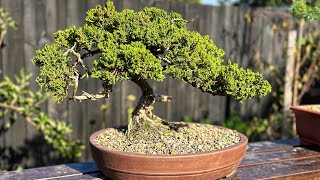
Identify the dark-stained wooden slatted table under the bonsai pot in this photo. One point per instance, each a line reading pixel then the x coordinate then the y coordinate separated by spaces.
pixel 283 159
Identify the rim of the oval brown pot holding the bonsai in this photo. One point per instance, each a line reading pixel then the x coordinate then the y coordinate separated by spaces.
pixel 93 141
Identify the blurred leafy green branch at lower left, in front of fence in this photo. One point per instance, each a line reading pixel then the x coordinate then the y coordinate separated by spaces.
pixel 16 99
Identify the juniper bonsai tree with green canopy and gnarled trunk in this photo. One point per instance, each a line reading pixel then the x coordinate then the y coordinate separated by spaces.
pixel 140 46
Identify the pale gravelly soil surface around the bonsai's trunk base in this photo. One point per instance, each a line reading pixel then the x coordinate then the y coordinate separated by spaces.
pixel 162 140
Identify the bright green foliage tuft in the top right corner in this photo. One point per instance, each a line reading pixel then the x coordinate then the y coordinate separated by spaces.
pixel 307 9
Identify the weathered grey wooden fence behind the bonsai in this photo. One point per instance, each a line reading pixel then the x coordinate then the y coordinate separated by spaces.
pixel 245 34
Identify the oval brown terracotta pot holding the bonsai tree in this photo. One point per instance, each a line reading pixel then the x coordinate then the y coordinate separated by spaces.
pixel 208 165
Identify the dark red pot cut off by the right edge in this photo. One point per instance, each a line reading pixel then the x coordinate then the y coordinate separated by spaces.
pixel 307 124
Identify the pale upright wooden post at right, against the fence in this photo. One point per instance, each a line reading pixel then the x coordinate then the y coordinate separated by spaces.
pixel 288 86
